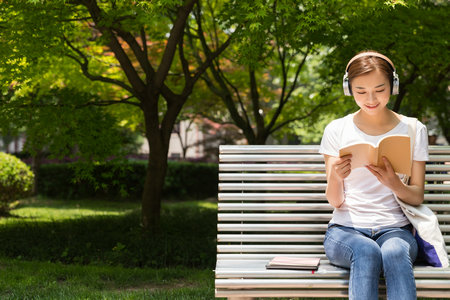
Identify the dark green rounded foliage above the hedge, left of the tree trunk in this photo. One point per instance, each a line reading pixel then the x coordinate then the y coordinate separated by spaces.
pixel 60 122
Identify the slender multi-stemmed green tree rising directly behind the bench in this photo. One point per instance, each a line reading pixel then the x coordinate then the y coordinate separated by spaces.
pixel 263 77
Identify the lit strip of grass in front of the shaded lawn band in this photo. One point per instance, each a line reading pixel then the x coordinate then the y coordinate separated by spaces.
pixel 45 280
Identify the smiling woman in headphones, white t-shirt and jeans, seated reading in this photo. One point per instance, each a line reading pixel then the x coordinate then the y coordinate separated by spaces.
pixel 369 233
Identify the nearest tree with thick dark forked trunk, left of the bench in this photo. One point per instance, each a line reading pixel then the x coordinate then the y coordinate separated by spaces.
pixel 77 29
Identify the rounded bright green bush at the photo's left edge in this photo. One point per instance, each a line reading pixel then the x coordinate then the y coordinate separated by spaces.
pixel 16 180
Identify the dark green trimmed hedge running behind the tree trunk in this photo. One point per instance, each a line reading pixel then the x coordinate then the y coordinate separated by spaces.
pixel 184 180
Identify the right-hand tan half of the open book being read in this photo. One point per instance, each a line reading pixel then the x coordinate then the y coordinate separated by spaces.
pixel 397 149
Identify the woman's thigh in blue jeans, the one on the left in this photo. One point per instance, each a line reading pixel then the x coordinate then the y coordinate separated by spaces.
pixel 344 245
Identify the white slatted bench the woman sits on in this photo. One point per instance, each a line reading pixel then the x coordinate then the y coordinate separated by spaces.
pixel 272 202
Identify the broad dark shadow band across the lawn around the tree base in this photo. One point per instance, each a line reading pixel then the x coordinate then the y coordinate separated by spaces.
pixel 187 238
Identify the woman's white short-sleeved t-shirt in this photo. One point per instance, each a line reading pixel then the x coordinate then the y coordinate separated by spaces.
pixel 368 203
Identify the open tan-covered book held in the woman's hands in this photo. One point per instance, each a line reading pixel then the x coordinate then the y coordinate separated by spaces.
pixel 396 148
